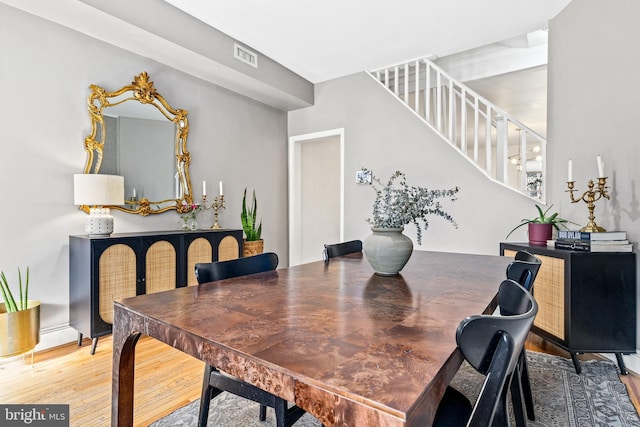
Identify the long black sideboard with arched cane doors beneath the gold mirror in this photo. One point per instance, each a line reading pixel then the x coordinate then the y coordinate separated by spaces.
pixel 103 269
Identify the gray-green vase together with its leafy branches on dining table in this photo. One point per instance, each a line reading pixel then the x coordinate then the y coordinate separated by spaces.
pixel 387 250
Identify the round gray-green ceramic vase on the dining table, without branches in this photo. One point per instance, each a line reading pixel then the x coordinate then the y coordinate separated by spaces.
pixel 387 250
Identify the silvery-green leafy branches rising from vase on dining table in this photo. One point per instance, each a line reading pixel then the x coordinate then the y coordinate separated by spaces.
pixel 397 206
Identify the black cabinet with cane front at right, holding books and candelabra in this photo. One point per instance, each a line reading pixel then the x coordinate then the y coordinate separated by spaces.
pixel 586 300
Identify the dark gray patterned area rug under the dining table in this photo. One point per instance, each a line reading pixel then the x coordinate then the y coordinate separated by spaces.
pixel 562 398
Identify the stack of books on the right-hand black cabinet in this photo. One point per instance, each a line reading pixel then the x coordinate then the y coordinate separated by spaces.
pixel 606 241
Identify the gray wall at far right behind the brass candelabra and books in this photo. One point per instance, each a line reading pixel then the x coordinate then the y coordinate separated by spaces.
pixel 593 108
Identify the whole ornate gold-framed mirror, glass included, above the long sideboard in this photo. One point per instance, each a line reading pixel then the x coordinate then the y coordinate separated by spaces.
pixel 137 134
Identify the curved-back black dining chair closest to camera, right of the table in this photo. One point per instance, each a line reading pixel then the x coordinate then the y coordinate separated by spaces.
pixel 491 345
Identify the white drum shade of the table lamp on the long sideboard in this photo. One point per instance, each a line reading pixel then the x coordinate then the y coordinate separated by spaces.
pixel 95 189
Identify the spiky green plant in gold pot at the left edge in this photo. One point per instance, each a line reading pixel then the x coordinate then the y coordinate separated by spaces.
pixel 19 319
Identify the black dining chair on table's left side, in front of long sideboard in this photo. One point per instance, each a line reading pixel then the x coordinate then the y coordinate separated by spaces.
pixel 215 382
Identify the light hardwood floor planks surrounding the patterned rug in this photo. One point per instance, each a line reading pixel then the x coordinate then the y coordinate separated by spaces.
pixel 166 379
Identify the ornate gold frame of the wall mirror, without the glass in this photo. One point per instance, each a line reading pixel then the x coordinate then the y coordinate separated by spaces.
pixel 144 92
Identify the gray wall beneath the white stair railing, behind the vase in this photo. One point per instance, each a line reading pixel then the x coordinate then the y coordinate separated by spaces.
pixel 382 135
